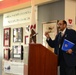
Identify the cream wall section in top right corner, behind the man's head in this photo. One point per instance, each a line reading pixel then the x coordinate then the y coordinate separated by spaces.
pixel 70 10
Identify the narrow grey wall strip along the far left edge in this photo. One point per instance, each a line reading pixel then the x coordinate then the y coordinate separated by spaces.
pixel 1 42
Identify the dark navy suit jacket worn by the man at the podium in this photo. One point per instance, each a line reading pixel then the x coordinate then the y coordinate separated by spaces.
pixel 70 35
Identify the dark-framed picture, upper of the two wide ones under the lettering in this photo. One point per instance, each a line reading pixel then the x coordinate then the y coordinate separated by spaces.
pixel 18 34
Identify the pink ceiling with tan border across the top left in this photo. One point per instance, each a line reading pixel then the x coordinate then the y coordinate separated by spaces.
pixel 26 3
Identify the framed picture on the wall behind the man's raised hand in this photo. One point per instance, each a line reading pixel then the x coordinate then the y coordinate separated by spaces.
pixel 51 28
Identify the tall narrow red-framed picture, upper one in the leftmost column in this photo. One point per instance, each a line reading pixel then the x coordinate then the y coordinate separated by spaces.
pixel 7 32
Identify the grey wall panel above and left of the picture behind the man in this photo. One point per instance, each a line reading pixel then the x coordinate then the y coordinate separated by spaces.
pixel 48 12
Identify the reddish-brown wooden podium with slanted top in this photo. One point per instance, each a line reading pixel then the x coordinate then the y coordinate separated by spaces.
pixel 41 61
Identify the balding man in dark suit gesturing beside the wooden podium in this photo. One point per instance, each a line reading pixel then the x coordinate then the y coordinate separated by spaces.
pixel 66 59
